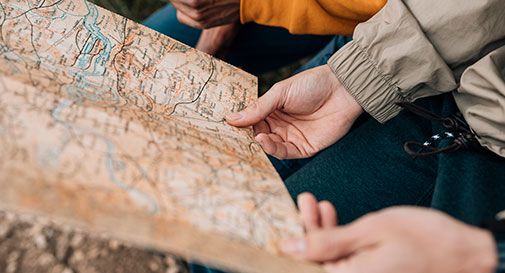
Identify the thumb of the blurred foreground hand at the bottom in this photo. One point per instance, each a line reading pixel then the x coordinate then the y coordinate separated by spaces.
pixel 328 244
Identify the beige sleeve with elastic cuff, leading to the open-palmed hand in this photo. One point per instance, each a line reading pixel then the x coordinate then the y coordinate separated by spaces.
pixel 417 48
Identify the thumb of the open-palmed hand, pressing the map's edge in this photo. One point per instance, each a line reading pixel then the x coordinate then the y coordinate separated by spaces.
pixel 259 109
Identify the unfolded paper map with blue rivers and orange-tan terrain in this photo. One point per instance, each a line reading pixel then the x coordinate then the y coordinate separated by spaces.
pixel 108 124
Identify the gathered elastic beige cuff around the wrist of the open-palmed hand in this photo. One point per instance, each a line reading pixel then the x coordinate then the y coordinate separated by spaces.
pixel 373 90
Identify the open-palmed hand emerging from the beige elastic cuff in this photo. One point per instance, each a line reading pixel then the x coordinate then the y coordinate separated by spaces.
pixel 302 115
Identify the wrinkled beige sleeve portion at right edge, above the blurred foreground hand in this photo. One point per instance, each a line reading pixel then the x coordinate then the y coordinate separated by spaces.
pixel 481 99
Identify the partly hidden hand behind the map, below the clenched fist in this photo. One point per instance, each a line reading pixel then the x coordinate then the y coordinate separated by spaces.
pixel 215 41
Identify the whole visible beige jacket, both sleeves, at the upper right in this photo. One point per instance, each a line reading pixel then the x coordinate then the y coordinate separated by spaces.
pixel 418 48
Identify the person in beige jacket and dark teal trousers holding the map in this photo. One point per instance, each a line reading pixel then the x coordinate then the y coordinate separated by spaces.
pixel 444 64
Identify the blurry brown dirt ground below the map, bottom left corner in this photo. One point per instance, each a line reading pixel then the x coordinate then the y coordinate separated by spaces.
pixel 33 245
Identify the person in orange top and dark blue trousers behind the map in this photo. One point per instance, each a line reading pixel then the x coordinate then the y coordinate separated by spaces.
pixel 248 36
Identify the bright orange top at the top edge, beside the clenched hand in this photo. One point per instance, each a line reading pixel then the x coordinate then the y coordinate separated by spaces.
pixel 310 16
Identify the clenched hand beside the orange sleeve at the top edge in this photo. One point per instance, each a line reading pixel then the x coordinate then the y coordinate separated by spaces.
pixel 204 14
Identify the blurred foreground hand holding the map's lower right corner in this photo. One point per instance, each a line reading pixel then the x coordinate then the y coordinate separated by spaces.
pixel 396 240
